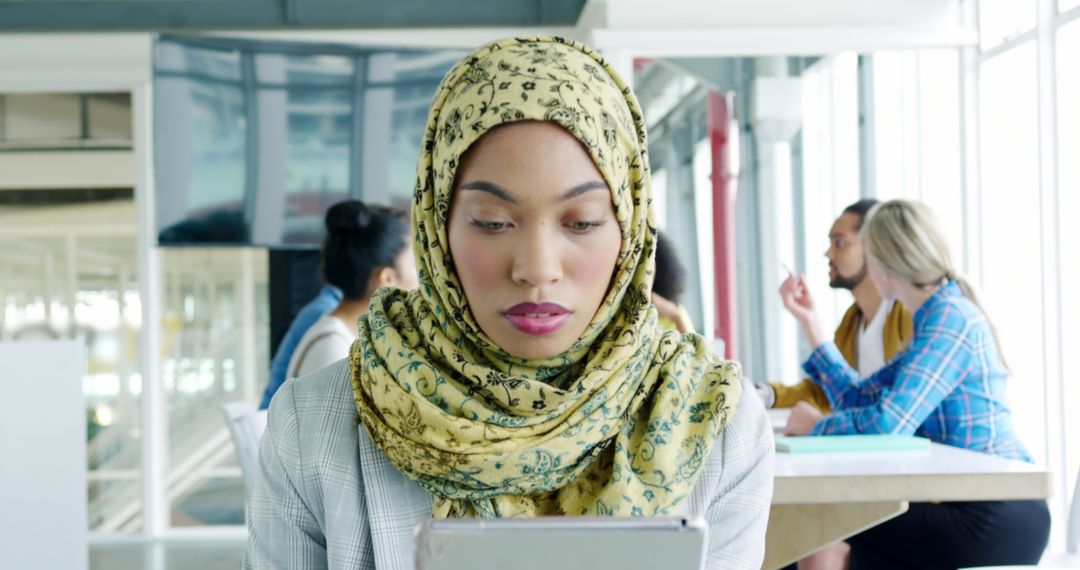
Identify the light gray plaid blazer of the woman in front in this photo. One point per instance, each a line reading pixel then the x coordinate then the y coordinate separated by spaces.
pixel 327 497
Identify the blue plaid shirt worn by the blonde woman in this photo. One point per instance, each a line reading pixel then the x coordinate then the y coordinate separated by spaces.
pixel 949 386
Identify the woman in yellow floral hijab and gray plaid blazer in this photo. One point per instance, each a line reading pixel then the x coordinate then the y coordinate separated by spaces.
pixel 528 376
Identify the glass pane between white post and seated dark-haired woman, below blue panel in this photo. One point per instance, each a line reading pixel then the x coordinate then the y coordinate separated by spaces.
pixel 215 349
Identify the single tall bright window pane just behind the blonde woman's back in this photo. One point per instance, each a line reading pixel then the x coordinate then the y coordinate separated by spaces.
pixel 1011 237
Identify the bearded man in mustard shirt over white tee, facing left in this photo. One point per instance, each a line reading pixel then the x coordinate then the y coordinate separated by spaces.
pixel 873 330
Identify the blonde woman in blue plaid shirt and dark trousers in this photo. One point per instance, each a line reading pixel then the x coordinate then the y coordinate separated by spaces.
pixel 949 386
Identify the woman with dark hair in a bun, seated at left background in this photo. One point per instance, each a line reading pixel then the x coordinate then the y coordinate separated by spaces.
pixel 366 249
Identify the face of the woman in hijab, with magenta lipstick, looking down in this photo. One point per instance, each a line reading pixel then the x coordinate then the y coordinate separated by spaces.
pixel 534 238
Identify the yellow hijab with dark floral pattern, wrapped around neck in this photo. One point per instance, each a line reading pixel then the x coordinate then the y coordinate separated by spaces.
pixel 618 425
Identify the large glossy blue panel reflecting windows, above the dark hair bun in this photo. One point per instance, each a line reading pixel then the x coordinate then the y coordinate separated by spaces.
pixel 254 141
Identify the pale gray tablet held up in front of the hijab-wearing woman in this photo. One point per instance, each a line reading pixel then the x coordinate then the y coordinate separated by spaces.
pixel 562 544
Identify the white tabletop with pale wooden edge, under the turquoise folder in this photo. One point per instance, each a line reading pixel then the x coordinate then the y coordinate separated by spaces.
pixel 942 473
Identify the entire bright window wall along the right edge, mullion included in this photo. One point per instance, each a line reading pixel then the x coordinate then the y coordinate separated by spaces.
pixel 1025 205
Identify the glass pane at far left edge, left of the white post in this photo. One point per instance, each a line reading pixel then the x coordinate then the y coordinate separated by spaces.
pixel 69 272
